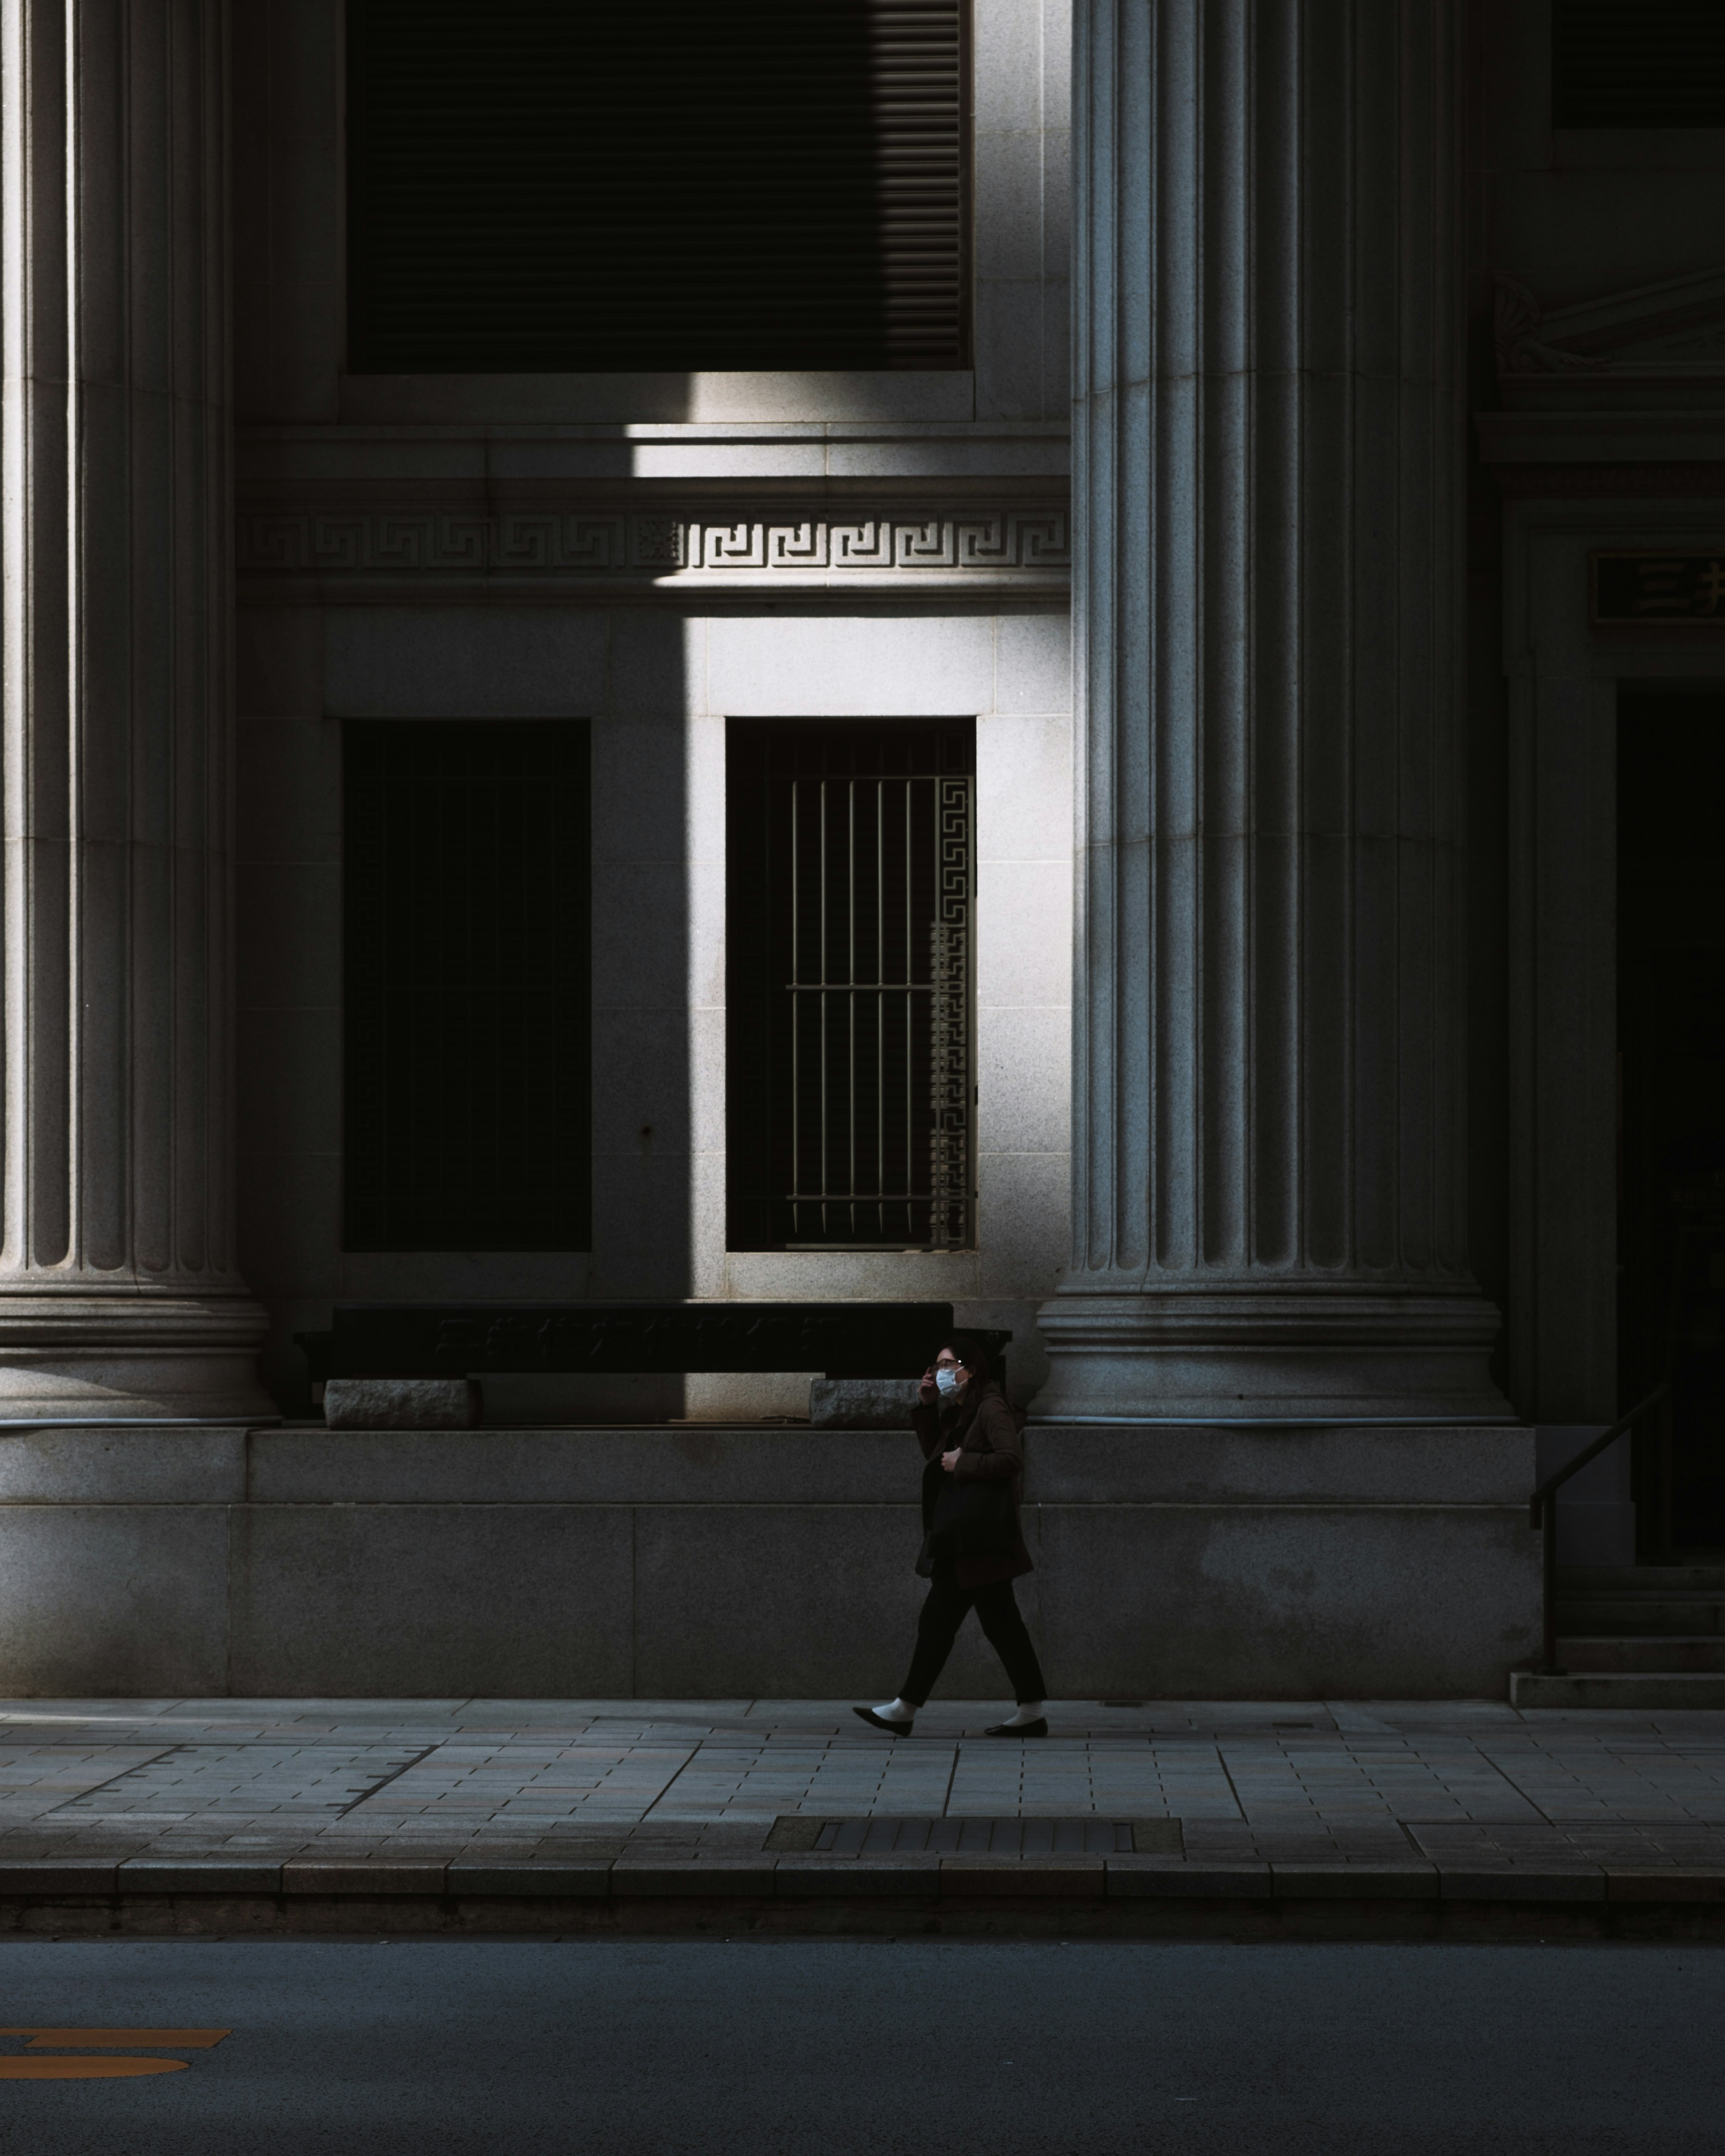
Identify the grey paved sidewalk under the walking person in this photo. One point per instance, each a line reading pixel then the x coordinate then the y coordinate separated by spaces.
pixel 437 1782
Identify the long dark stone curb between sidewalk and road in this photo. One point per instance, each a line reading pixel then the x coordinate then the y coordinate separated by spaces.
pixel 848 1879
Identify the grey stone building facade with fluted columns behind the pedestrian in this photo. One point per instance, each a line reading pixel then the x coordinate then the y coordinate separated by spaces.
pixel 1310 519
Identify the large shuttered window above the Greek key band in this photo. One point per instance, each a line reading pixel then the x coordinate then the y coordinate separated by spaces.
pixel 542 186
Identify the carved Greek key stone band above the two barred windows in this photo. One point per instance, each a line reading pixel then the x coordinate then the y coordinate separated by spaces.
pixel 348 553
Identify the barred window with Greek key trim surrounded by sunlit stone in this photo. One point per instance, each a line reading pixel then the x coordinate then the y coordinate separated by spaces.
pixel 851 1036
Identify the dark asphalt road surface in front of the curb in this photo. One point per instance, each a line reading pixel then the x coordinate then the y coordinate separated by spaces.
pixel 450 2047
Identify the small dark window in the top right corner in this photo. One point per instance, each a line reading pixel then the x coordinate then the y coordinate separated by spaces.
pixel 1638 64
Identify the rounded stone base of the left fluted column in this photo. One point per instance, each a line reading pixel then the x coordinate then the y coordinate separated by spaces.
pixel 115 1357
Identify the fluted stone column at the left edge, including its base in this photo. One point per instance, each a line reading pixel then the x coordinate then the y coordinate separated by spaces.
pixel 118 1286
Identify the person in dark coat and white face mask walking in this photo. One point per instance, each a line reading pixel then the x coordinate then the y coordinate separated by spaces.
pixel 974 1547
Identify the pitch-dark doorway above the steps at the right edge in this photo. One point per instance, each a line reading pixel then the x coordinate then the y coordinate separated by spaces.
pixel 1672 1105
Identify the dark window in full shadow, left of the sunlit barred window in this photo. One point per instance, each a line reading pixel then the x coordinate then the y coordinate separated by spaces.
pixel 467 1062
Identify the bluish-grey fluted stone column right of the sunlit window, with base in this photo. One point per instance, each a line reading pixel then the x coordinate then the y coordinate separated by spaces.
pixel 1269 1103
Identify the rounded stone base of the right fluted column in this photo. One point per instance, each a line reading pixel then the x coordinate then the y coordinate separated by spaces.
pixel 1271 1355
